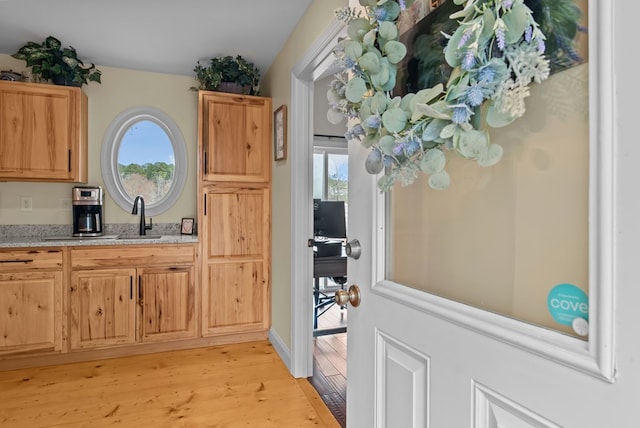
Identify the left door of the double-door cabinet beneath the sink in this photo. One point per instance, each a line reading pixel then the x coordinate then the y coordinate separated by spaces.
pixel 103 310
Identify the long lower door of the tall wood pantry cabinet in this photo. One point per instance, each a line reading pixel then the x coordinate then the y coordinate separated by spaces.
pixel 236 289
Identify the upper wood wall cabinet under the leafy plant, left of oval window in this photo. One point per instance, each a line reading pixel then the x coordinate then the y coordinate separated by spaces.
pixel 43 133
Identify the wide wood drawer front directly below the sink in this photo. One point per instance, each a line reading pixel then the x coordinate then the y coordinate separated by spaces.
pixel 131 255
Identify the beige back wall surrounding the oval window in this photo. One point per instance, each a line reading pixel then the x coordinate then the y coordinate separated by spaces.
pixel 120 90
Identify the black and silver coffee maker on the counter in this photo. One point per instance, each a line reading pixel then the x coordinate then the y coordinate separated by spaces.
pixel 87 210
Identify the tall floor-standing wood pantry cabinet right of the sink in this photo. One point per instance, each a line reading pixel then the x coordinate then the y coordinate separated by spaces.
pixel 234 213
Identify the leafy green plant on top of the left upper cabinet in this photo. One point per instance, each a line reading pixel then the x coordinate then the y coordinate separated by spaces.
pixel 50 61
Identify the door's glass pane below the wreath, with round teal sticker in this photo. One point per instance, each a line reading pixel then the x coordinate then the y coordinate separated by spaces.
pixel 501 238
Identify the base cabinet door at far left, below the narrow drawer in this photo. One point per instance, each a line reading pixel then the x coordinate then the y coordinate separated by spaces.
pixel 30 312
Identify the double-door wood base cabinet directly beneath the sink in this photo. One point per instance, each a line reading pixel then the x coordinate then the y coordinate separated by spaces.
pixel 132 294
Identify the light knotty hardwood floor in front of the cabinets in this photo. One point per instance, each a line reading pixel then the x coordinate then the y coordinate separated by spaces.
pixel 240 385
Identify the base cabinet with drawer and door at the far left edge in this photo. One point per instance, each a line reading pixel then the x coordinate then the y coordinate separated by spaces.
pixel 31 303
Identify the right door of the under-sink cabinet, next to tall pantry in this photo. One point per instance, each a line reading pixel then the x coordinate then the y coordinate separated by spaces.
pixel 166 299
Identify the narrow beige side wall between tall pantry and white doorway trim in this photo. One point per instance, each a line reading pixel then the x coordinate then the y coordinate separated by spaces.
pixel 277 84
